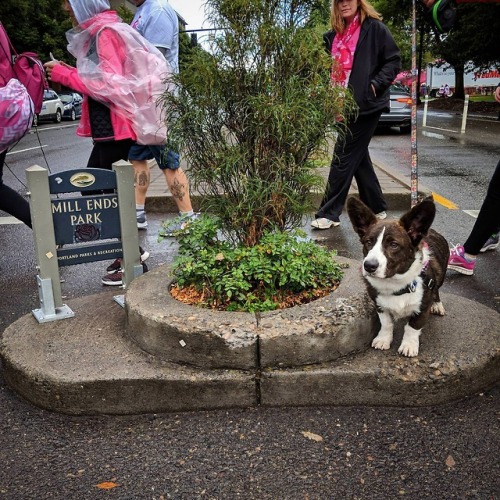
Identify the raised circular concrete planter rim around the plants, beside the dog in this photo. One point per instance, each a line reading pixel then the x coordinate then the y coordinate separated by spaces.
pixel 342 323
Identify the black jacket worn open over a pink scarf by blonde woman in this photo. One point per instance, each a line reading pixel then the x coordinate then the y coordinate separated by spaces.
pixel 376 61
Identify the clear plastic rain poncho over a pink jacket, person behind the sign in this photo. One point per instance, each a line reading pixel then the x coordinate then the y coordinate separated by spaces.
pixel 124 71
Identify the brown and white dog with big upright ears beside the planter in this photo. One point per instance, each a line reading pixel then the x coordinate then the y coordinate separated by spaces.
pixel 404 266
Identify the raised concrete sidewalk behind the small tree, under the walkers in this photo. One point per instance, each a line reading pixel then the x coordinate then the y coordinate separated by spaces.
pixel 396 189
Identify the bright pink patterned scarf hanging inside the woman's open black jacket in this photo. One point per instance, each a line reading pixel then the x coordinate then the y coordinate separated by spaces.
pixel 343 47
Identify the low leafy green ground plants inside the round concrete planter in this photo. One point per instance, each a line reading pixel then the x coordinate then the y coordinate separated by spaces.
pixel 257 278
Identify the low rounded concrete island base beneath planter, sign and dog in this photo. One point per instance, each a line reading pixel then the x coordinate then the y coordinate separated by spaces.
pixel 86 365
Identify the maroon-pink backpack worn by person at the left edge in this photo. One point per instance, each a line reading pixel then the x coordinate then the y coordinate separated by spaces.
pixel 25 67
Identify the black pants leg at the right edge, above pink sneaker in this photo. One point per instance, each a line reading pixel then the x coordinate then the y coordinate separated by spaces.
pixel 488 220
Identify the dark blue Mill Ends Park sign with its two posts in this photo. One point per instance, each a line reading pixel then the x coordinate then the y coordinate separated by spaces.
pixel 81 216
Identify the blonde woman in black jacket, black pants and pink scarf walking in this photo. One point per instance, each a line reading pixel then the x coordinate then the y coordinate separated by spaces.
pixel 365 60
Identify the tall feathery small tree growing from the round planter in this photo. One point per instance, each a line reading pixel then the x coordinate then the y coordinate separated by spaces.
pixel 253 114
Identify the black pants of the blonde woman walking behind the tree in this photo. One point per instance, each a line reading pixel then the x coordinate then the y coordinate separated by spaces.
pixel 352 159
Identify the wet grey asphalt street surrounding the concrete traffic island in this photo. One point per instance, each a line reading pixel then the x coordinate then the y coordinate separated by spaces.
pixel 448 451
